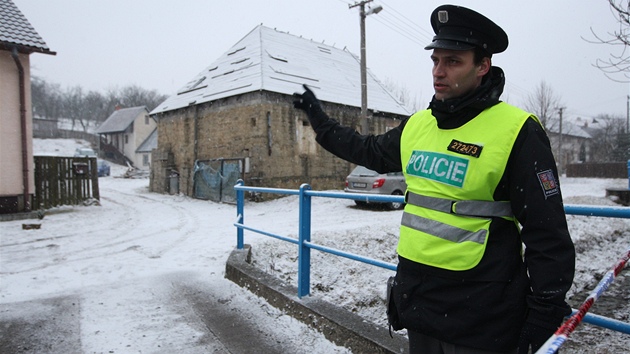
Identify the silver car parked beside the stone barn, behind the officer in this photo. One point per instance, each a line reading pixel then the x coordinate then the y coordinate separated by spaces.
pixel 364 180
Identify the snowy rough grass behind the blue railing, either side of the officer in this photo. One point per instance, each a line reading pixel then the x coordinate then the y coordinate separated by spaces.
pixel 600 243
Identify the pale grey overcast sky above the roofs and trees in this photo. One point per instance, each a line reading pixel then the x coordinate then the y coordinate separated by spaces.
pixel 163 44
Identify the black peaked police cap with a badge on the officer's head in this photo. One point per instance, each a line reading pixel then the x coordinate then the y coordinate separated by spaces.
pixel 459 28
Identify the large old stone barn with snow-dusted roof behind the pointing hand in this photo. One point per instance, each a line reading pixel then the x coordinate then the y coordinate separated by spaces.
pixel 236 119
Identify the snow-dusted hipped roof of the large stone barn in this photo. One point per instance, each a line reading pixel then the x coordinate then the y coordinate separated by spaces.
pixel 270 60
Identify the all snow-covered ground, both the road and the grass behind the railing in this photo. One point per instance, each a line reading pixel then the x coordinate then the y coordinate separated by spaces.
pixel 123 262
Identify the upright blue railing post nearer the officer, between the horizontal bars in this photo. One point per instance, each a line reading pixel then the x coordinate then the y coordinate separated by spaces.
pixel 304 252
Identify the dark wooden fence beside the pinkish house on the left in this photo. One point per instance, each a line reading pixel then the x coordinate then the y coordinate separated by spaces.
pixel 64 181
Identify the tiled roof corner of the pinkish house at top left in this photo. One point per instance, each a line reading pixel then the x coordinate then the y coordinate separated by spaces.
pixel 16 31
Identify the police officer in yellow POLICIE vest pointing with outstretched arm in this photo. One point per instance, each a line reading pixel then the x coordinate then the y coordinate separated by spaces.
pixel 482 181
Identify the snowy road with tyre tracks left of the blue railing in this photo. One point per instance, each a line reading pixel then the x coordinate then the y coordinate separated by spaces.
pixel 142 273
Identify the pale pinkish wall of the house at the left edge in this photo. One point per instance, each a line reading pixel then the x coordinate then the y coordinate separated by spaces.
pixel 11 169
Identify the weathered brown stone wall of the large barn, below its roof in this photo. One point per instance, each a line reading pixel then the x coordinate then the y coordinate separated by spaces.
pixel 262 126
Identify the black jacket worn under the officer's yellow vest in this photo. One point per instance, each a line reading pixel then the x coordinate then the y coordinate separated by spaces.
pixel 484 307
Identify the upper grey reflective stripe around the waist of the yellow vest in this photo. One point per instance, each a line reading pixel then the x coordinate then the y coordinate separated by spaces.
pixel 480 208
